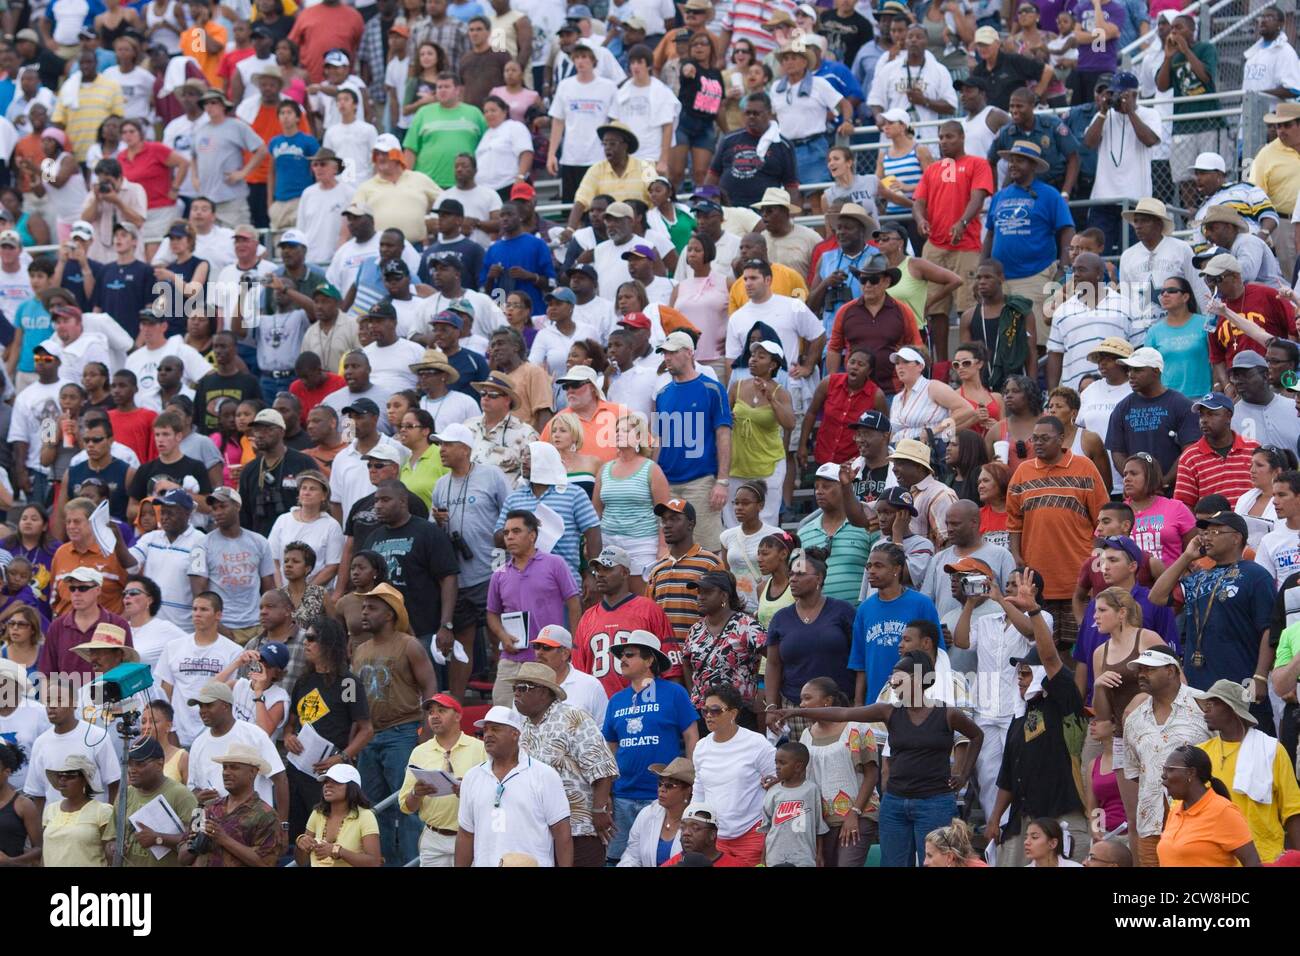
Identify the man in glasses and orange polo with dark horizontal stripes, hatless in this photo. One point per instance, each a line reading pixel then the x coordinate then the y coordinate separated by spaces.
pixel 1052 507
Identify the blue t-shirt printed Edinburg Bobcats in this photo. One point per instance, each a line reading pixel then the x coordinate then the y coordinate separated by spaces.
pixel 648 728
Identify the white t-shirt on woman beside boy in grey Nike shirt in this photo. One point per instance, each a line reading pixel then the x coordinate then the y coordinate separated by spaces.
pixel 727 777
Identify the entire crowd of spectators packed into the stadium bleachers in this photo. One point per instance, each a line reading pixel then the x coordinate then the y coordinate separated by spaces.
pixel 813 486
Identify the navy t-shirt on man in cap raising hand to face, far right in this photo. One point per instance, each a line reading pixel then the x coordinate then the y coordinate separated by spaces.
pixel 1228 634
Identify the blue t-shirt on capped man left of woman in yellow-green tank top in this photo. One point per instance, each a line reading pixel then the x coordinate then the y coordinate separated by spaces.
pixel 687 417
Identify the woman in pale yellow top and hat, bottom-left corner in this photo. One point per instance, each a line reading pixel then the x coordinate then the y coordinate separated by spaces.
pixel 80 830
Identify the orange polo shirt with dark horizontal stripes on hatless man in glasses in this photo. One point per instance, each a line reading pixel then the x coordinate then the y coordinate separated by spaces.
pixel 1055 508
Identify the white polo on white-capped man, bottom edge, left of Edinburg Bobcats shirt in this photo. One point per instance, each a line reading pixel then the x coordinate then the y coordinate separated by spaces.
pixel 518 820
